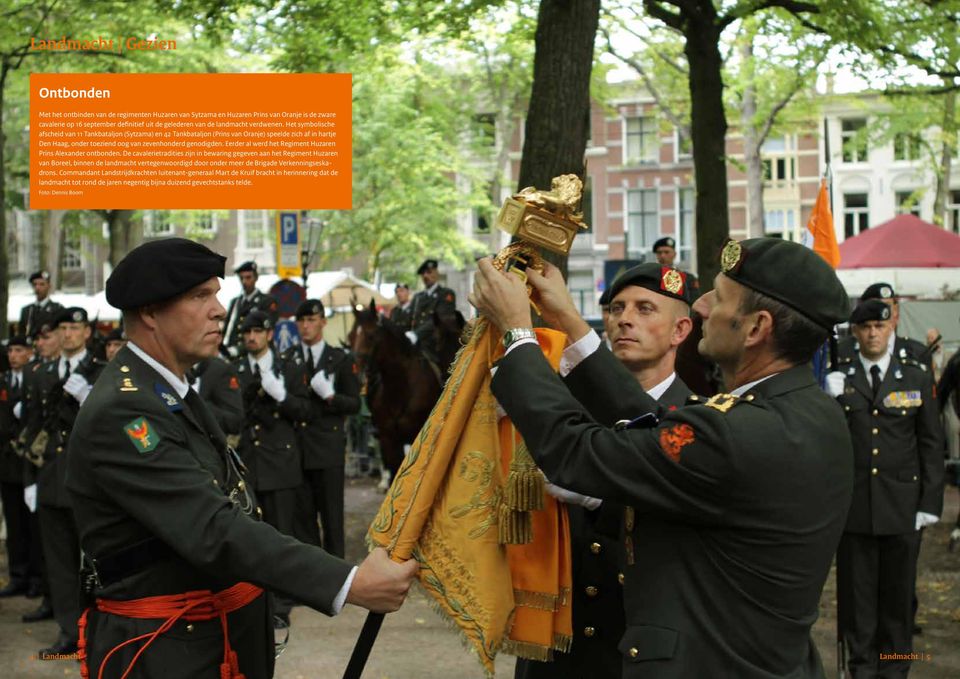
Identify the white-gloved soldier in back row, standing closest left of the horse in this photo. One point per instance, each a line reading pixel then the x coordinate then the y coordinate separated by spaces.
pixel 334 394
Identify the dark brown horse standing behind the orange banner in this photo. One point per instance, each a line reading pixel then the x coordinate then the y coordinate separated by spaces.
pixel 402 384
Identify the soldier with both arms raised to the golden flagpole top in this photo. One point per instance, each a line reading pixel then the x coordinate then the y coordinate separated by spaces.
pixel 741 500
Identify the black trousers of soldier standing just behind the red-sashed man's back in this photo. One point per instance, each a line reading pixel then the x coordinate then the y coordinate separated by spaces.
pixel 61 550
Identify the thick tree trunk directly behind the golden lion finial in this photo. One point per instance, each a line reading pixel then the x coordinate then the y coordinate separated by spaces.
pixel 558 119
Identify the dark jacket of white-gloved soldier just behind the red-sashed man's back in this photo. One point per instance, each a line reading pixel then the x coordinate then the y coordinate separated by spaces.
pixel 51 412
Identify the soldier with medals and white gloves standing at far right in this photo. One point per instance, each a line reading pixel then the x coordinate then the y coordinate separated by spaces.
pixel 898 450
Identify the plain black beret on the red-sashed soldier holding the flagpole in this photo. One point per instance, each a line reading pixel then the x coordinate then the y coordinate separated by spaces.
pixel 160 270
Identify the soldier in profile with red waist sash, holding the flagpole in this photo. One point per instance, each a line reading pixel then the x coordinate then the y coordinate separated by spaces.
pixel 170 530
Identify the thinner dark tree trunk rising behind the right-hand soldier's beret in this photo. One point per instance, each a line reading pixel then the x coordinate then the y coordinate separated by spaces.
pixel 708 132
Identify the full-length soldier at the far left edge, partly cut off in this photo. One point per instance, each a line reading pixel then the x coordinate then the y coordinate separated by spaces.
pixel 23 541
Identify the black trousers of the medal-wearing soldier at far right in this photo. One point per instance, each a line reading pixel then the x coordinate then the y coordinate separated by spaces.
pixel 876 576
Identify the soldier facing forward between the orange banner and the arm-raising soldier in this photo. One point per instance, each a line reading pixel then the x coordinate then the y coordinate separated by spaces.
pixel 649 319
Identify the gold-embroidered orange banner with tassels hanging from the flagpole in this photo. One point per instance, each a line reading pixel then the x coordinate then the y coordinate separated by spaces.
pixel 465 499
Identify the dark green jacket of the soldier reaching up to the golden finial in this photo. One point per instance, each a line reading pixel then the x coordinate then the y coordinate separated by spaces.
pixel 740 503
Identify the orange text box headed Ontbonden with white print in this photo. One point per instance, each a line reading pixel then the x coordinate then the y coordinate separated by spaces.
pixel 190 141
